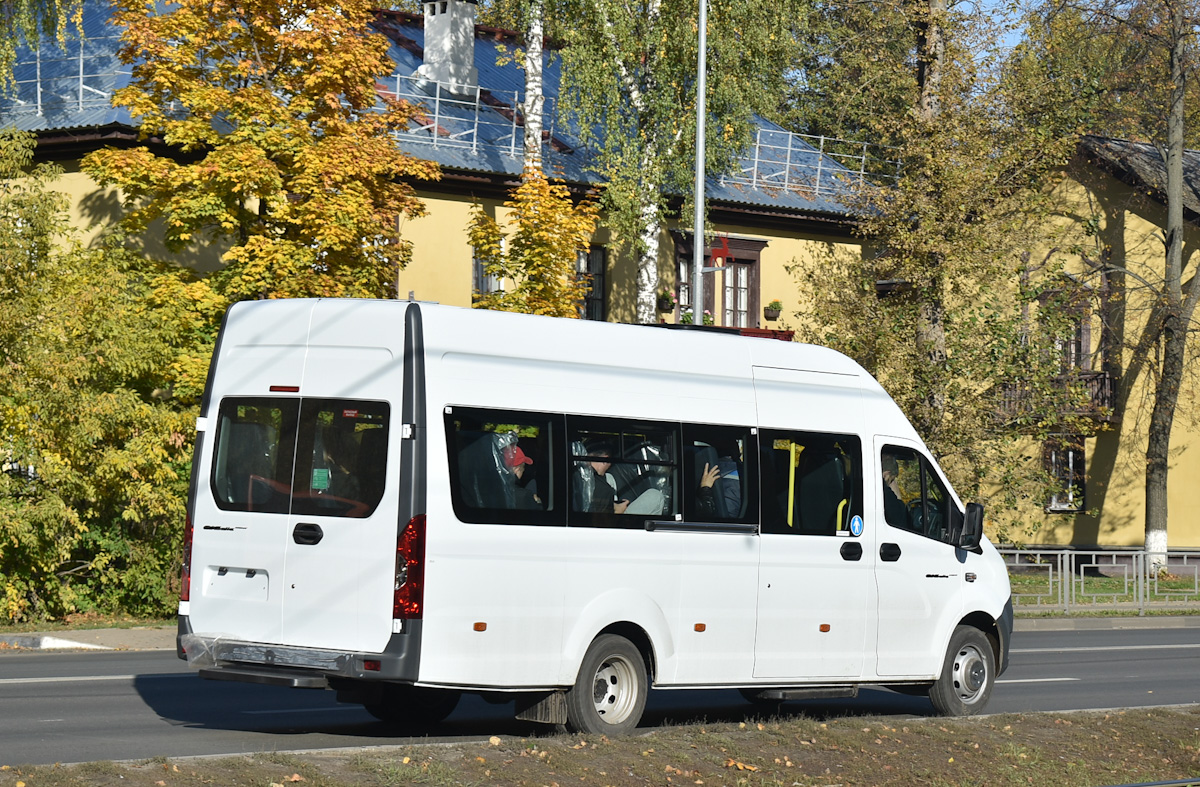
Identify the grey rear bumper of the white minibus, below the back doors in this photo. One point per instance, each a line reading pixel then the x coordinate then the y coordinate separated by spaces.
pixel 220 658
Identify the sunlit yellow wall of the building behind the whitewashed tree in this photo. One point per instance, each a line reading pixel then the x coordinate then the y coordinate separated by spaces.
pixel 1109 231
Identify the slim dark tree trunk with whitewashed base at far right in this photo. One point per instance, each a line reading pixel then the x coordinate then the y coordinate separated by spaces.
pixel 1173 331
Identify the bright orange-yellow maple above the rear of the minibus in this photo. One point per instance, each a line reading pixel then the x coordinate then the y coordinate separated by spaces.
pixel 279 143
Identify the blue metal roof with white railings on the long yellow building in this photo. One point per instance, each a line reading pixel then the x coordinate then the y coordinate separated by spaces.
pixel 69 88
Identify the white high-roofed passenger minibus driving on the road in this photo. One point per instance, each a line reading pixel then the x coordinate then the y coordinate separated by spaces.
pixel 405 502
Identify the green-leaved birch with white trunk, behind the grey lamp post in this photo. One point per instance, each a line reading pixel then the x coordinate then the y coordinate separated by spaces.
pixel 629 81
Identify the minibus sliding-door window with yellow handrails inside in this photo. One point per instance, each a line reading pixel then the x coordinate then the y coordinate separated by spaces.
pixel 812 483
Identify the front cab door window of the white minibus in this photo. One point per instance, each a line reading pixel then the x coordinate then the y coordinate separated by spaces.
pixel 915 498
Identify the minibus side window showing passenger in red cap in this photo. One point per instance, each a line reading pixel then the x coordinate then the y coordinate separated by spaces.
pixel 503 466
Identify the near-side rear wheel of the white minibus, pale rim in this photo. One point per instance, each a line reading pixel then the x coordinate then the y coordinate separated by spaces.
pixel 609 696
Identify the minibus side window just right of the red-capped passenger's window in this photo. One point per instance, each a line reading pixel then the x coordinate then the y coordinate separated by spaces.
pixel 622 472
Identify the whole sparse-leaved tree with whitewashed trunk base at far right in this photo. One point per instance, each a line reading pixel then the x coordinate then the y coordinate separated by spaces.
pixel 1145 69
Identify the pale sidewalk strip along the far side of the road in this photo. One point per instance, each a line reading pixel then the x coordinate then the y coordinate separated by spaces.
pixel 164 638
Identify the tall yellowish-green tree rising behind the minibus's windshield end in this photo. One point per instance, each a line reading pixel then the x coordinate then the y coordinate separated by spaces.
pixel 945 304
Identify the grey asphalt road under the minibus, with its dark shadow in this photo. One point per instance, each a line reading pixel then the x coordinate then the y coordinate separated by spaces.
pixel 77 707
